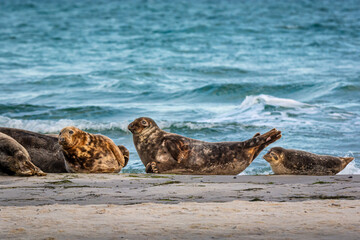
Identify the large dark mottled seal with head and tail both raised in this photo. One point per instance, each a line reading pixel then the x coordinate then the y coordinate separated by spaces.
pixel 164 152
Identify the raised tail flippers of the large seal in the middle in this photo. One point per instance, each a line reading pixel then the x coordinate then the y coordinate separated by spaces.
pixel 259 142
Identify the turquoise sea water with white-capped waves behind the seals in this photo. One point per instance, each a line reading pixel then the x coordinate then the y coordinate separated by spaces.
pixel 210 70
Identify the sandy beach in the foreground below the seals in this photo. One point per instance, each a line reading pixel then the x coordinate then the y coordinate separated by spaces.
pixel 145 206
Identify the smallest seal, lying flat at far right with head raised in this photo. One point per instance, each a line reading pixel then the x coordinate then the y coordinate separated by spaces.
pixel 297 162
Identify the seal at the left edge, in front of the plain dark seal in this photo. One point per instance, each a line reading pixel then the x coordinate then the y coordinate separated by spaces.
pixel 14 159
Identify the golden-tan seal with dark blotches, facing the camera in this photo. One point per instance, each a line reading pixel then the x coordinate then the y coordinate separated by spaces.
pixel 91 153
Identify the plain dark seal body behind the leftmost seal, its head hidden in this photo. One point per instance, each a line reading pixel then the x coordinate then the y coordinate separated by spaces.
pixel 44 150
